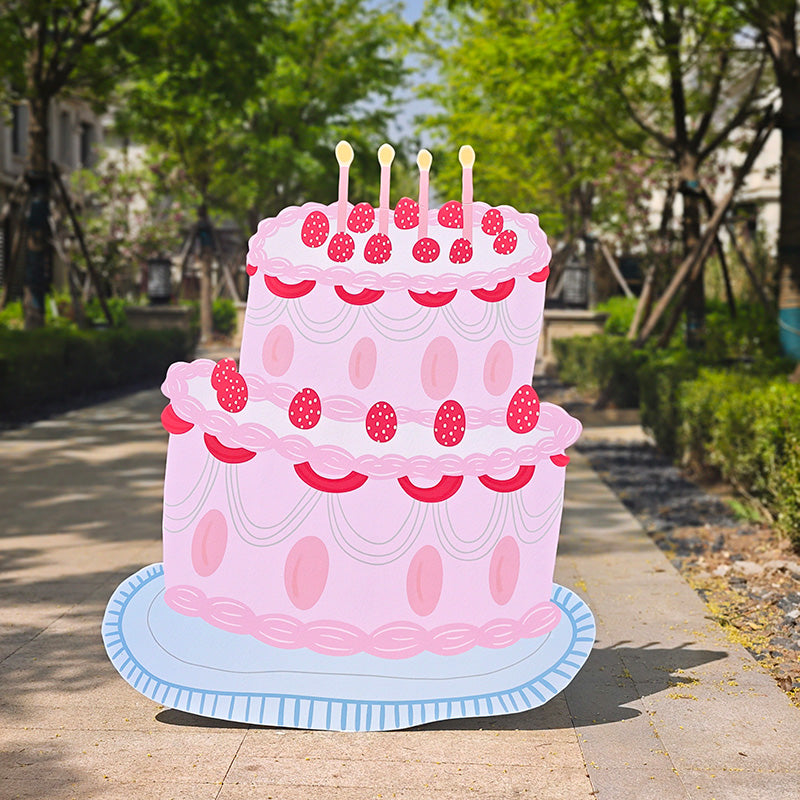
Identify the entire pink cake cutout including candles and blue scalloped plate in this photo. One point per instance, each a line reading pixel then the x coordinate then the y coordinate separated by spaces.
pixel 361 520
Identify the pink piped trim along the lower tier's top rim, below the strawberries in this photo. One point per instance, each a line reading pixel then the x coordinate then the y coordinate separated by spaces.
pixel 329 459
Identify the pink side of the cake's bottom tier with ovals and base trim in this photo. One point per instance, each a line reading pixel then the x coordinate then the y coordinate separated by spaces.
pixel 383 566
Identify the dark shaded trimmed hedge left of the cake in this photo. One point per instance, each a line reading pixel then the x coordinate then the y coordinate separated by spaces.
pixel 53 365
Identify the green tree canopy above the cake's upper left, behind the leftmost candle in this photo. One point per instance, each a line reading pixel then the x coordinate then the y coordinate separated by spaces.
pixel 249 99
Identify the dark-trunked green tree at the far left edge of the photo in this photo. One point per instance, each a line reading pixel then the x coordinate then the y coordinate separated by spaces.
pixel 49 50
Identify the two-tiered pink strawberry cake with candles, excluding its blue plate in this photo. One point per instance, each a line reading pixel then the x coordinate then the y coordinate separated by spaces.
pixel 378 475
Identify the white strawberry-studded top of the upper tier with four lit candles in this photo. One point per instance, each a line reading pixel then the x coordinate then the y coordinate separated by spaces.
pixel 462 245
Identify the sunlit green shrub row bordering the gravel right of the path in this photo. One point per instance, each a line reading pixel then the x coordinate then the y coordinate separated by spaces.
pixel 742 421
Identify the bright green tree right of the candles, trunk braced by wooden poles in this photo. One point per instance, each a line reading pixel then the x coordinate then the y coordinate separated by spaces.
pixel 664 81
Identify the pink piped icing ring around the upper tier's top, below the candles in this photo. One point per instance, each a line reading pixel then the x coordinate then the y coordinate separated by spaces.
pixel 333 274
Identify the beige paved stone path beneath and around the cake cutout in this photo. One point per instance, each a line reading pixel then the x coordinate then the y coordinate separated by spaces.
pixel 666 707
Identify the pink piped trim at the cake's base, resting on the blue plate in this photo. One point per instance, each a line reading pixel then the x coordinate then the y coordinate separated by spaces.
pixel 402 639
